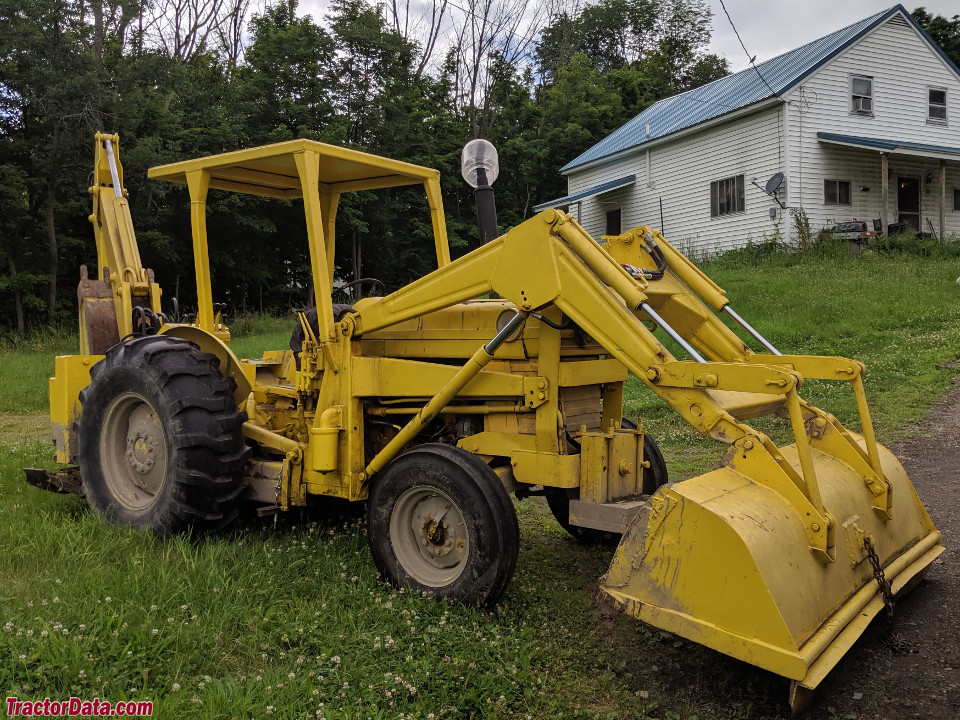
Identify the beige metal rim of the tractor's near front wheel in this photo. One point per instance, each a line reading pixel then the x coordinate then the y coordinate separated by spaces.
pixel 429 536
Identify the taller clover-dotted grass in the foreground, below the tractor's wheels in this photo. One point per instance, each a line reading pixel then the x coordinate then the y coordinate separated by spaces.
pixel 293 621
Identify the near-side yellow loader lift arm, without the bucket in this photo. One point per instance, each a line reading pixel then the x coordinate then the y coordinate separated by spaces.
pixel 581 279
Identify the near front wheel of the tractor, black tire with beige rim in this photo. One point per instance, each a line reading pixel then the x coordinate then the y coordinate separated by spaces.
pixel 440 522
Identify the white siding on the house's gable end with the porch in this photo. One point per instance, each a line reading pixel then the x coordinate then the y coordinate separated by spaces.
pixel 903 66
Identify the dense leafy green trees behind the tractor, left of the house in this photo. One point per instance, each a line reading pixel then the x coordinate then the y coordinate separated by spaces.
pixel 69 68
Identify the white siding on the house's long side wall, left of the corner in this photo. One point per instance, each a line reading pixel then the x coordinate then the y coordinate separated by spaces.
pixel 680 173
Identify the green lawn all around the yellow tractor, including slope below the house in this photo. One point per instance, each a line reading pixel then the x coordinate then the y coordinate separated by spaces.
pixel 291 620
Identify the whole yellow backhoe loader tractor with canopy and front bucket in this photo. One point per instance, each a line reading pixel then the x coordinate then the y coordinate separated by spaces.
pixel 499 373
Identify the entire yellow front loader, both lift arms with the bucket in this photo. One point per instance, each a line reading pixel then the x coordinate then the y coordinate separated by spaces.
pixel 794 524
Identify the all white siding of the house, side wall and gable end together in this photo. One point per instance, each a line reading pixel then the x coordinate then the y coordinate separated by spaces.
pixel 903 66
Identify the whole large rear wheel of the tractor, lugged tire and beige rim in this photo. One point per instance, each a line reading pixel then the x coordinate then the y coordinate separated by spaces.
pixel 160 437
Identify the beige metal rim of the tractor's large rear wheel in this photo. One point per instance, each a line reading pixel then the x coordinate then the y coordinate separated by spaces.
pixel 133 451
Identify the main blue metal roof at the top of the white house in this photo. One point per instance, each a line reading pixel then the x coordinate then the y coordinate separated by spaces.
pixel 739 90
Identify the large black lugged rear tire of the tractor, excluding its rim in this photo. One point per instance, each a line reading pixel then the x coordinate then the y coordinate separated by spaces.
pixel 205 448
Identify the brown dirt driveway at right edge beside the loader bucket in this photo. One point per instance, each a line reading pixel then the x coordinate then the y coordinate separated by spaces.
pixel 875 682
